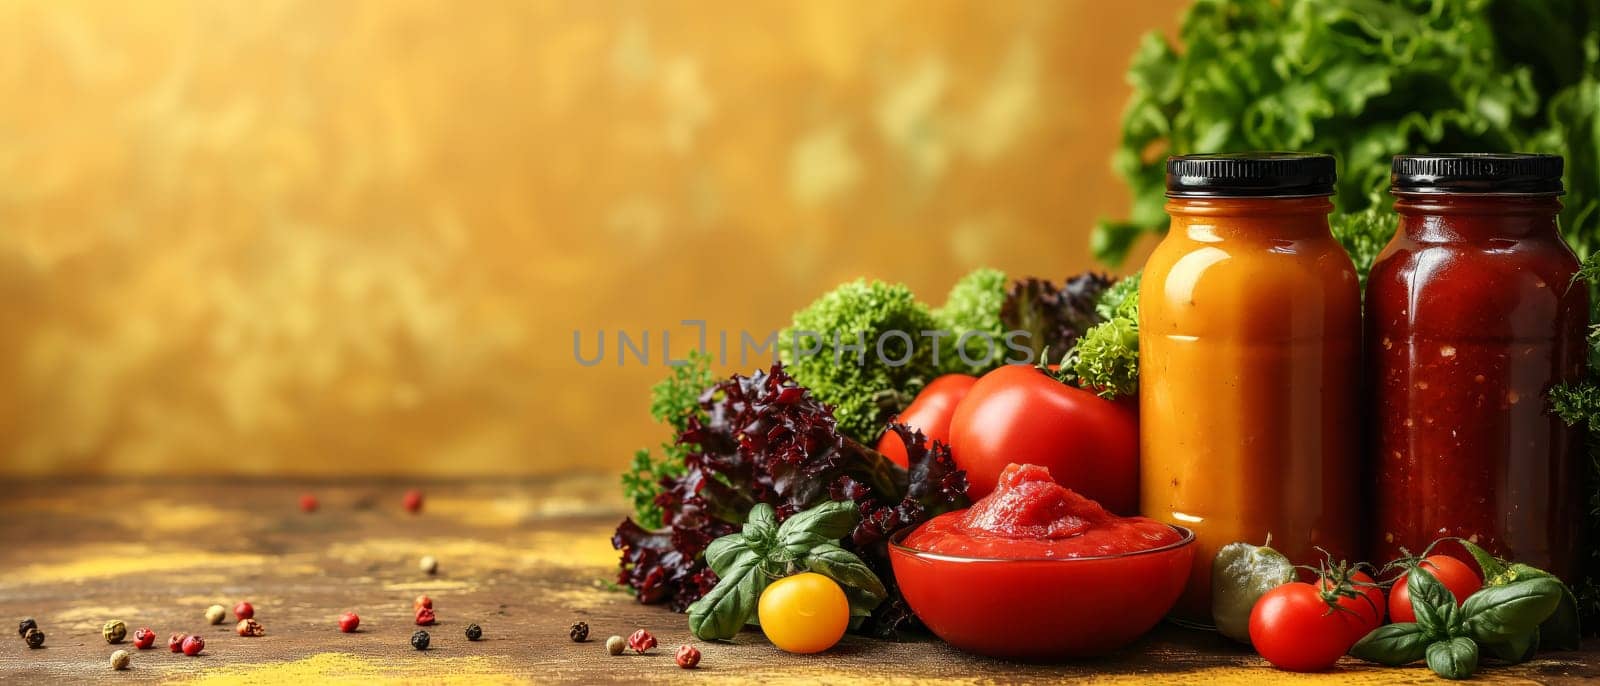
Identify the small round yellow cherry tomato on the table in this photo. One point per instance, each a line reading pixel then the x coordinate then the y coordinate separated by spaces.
pixel 804 613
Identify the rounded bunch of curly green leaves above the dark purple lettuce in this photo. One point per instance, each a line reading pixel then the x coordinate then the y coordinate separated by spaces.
pixel 858 383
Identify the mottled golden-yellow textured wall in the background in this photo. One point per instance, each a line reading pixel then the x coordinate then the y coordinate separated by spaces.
pixel 356 237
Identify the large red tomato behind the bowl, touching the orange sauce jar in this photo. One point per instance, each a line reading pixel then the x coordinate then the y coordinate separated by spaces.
pixel 1020 415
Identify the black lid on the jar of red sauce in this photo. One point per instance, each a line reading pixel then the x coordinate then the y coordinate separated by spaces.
pixel 1478 173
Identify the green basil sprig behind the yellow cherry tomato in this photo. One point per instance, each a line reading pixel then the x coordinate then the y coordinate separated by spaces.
pixel 766 551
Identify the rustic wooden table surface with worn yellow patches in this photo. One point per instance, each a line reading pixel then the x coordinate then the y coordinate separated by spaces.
pixel 524 560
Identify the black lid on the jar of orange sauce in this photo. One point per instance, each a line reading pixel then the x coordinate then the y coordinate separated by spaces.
pixel 1250 175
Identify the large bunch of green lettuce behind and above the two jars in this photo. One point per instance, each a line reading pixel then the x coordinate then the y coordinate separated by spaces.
pixel 1366 81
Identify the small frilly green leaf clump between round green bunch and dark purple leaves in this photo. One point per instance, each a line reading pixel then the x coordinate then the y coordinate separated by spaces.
pixel 974 306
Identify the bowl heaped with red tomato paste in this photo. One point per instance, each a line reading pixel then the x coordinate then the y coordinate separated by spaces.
pixel 1066 576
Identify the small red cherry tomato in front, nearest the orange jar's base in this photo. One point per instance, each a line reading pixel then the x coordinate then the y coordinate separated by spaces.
pixel 1295 629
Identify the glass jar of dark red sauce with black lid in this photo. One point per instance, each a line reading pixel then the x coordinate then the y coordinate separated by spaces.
pixel 1471 319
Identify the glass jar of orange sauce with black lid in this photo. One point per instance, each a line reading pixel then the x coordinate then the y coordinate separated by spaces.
pixel 1250 327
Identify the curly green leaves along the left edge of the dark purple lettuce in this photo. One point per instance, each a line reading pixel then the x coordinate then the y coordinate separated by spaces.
pixel 673 402
